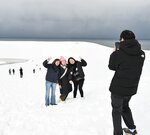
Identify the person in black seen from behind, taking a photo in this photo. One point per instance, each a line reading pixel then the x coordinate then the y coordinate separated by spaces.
pixel 127 62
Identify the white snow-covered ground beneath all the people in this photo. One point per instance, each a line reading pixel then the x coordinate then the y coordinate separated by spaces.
pixel 22 110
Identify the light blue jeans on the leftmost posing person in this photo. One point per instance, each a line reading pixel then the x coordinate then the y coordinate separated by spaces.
pixel 50 97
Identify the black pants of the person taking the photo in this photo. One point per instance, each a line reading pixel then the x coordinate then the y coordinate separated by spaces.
pixel 120 108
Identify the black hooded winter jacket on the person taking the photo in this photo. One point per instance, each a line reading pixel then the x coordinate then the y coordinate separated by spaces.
pixel 127 62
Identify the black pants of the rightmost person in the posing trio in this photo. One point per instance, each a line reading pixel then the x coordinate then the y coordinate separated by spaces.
pixel 80 85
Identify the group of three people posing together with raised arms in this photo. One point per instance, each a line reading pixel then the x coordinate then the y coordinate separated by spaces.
pixel 69 75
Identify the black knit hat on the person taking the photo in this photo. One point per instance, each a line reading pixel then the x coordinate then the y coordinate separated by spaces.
pixel 127 34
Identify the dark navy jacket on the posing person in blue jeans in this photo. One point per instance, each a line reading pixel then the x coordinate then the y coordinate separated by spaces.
pixel 52 72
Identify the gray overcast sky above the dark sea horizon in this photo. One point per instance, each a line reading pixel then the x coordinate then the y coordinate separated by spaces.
pixel 74 18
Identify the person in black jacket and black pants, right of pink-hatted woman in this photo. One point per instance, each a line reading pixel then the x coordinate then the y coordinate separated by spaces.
pixel 77 73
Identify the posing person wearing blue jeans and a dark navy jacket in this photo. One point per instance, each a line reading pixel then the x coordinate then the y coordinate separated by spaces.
pixel 51 80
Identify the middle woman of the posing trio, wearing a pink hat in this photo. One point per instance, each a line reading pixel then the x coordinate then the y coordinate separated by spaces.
pixel 65 81
